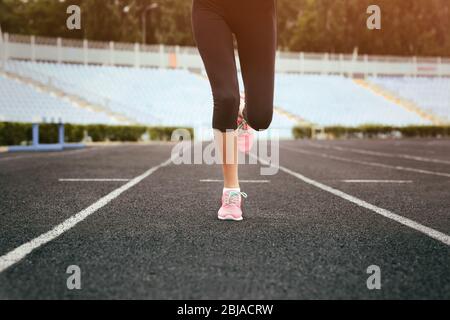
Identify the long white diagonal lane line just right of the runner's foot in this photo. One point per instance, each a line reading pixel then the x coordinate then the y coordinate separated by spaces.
pixel 437 235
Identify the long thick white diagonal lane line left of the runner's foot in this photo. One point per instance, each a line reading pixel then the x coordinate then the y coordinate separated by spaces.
pixel 22 251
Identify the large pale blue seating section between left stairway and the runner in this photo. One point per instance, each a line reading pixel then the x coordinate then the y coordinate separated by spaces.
pixel 149 96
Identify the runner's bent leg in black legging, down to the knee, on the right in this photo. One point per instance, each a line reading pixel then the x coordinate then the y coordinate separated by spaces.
pixel 256 34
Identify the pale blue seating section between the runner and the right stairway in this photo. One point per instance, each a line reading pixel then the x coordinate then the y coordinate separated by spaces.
pixel 335 100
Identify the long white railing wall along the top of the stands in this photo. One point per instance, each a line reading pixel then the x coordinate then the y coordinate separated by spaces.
pixel 128 54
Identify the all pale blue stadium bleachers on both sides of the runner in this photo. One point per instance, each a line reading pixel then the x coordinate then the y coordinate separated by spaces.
pixel 167 97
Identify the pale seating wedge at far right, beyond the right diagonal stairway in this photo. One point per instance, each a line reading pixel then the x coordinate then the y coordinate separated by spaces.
pixel 430 94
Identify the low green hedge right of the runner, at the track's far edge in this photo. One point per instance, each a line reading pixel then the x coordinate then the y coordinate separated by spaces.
pixel 374 131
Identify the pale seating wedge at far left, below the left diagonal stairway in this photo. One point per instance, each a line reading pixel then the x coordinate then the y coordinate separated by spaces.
pixel 22 103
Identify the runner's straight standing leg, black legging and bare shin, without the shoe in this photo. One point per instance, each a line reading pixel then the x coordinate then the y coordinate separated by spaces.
pixel 215 43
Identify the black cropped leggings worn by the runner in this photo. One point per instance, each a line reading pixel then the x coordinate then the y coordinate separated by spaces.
pixel 254 24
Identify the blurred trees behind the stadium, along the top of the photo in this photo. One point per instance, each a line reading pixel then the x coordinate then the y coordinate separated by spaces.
pixel 409 27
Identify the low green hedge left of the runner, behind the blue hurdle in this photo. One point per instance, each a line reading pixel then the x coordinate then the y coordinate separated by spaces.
pixel 21 133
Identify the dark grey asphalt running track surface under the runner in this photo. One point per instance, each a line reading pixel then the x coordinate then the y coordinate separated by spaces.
pixel 160 239
